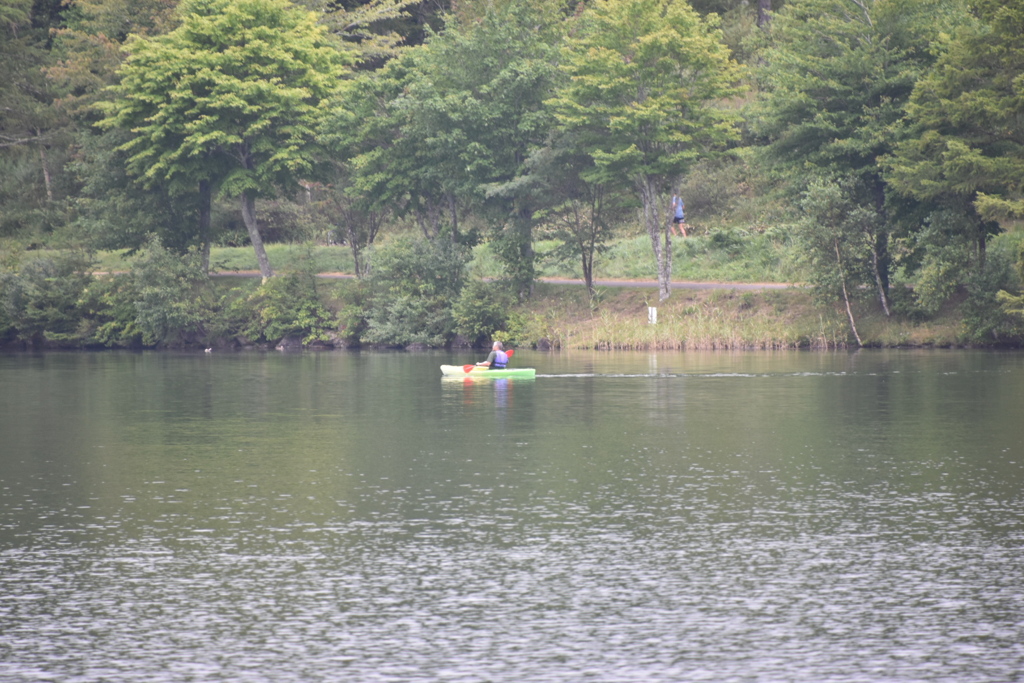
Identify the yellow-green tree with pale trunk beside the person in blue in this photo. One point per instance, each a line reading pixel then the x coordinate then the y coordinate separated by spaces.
pixel 646 92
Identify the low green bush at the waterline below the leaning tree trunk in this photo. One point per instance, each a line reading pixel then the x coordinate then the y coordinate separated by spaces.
pixel 288 306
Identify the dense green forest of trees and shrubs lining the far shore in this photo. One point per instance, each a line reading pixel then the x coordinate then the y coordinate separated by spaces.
pixel 878 144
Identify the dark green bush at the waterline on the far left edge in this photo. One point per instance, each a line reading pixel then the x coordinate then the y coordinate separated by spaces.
pixel 40 298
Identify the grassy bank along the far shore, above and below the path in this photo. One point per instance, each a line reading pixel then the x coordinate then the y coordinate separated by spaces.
pixel 564 316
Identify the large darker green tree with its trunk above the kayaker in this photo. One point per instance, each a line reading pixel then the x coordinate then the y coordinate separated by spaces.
pixel 445 129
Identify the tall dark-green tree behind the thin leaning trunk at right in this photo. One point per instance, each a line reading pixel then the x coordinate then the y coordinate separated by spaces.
pixel 836 79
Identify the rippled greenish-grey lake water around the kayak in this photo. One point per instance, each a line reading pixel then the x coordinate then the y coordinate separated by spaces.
pixel 779 517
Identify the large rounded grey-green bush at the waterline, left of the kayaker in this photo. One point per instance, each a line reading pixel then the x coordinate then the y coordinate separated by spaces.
pixel 413 286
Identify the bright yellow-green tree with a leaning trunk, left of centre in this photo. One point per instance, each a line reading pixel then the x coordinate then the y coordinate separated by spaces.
pixel 229 102
